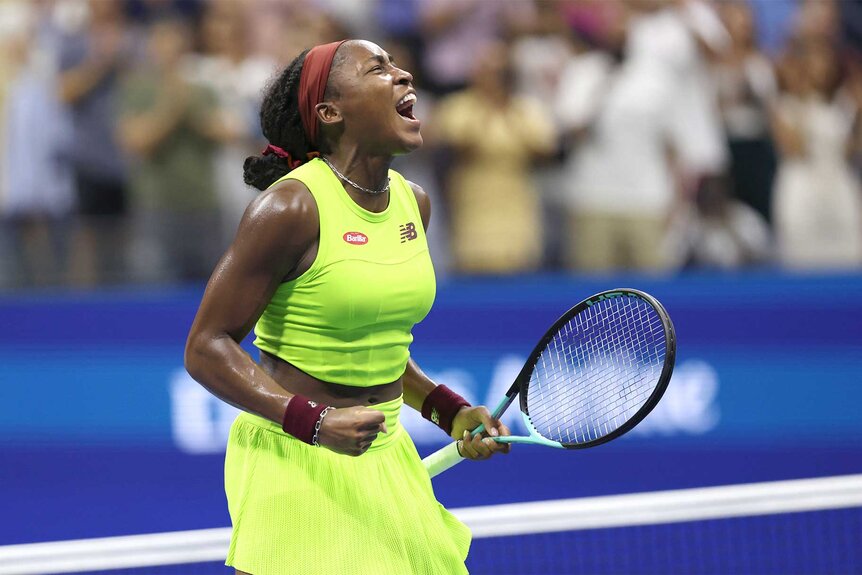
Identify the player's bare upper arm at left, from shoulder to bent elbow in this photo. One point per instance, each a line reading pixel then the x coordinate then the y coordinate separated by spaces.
pixel 277 229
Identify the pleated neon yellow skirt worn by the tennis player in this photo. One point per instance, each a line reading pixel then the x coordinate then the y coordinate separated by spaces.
pixel 299 509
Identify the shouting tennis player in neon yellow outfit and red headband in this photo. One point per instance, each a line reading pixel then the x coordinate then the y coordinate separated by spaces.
pixel 332 265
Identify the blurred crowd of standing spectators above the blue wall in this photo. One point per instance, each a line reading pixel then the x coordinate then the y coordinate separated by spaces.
pixel 579 135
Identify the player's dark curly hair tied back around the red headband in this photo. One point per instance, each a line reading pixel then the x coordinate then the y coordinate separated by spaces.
pixel 282 124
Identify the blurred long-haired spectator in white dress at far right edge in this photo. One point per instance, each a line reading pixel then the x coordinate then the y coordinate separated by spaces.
pixel 818 201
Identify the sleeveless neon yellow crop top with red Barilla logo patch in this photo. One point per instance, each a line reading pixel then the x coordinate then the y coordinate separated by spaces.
pixel 348 319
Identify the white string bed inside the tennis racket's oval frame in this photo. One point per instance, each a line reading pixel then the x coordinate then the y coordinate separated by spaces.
pixel 597 371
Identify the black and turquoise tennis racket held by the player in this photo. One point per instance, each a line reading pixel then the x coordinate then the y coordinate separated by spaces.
pixel 596 373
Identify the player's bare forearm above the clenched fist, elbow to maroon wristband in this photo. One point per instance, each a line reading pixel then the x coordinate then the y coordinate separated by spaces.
pixel 229 373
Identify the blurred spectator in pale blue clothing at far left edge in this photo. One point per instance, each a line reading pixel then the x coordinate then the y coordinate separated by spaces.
pixel 36 183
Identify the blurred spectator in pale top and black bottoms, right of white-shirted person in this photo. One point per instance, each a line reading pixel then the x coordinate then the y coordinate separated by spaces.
pixel 747 90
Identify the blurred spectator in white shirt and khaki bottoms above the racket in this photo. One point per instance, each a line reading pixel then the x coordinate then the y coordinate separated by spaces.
pixel 641 121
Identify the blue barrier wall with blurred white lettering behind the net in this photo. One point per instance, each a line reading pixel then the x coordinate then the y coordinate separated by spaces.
pixel 103 433
